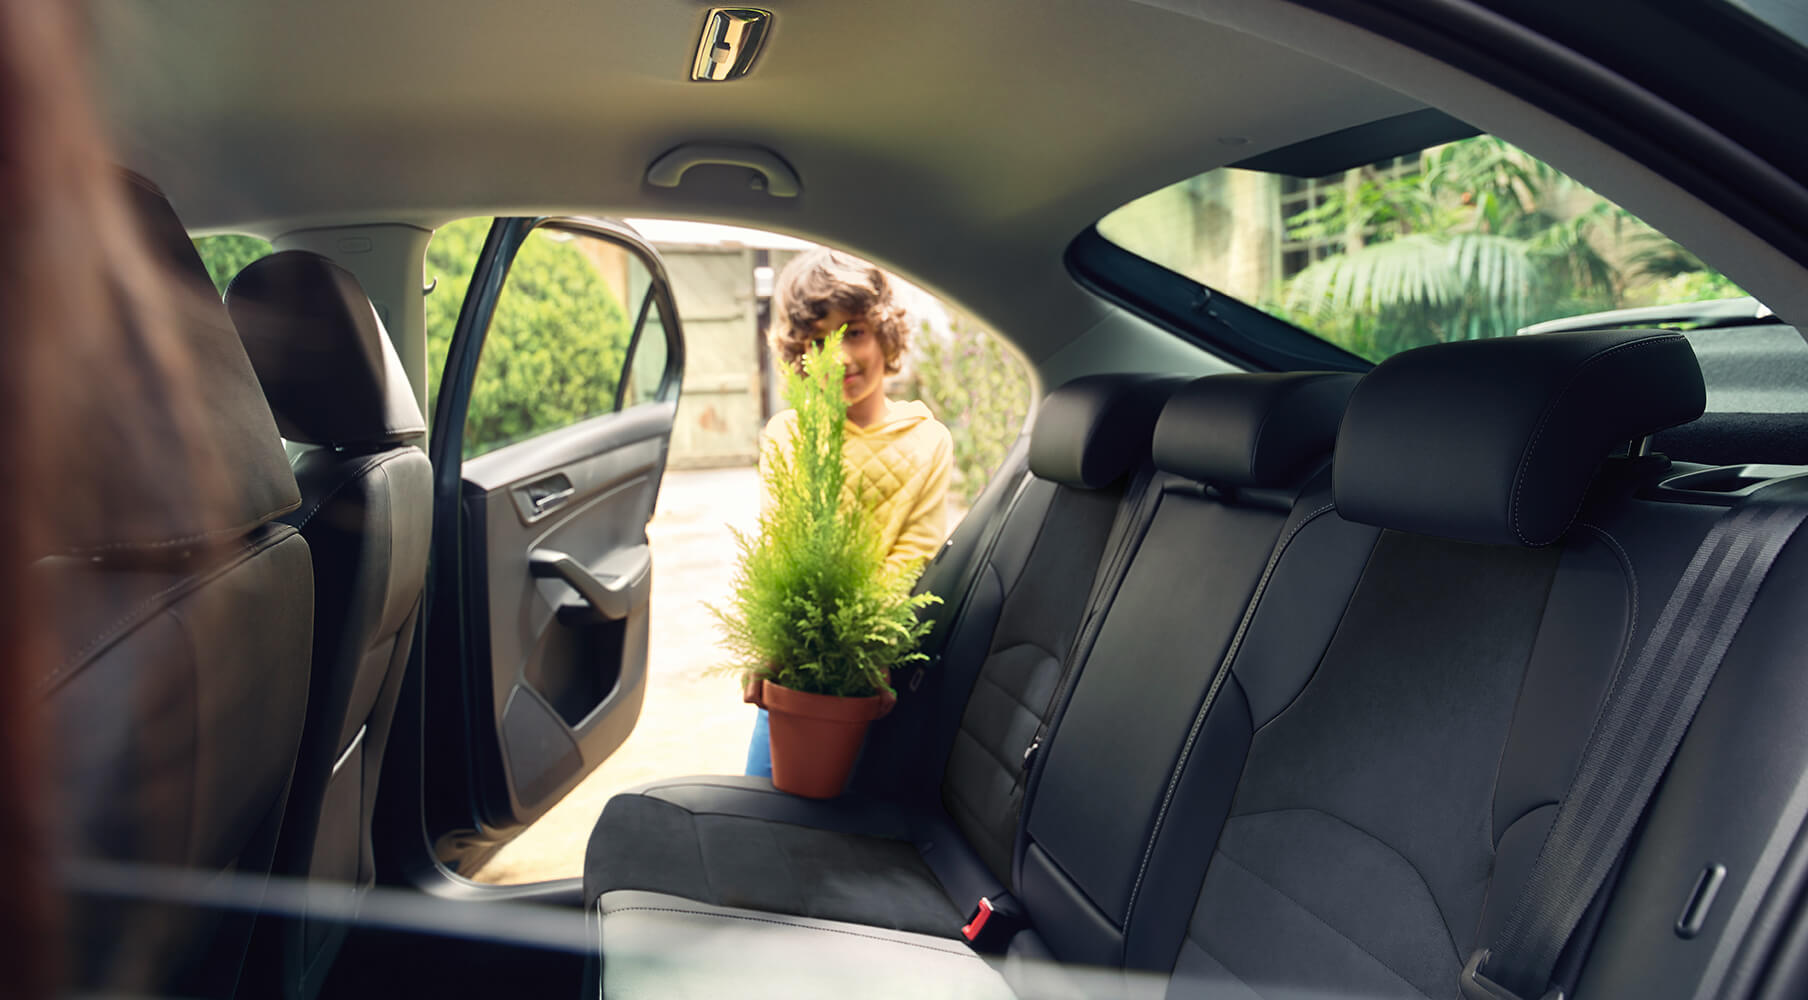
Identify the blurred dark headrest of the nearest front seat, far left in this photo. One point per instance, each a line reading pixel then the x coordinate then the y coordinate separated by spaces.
pixel 218 467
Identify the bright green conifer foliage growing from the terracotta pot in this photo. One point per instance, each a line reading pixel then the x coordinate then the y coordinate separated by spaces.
pixel 815 605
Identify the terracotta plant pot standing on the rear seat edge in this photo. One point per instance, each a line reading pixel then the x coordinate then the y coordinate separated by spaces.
pixel 816 737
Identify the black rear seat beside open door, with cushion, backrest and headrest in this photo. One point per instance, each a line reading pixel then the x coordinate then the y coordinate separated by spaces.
pixel 892 862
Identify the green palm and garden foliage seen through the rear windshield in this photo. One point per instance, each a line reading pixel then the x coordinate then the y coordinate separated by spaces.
pixel 1480 241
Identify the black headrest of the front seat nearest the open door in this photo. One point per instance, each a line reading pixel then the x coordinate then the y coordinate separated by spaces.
pixel 326 364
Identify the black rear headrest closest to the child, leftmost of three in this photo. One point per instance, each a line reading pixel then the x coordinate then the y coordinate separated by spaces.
pixel 1093 431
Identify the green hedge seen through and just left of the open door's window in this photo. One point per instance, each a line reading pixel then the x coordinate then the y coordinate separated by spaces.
pixel 556 344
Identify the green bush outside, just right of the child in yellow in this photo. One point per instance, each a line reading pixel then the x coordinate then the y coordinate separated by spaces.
pixel 979 392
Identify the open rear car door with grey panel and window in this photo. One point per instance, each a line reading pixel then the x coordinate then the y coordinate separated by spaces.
pixel 549 442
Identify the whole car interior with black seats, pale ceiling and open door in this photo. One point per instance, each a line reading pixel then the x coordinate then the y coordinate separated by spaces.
pixel 1267 665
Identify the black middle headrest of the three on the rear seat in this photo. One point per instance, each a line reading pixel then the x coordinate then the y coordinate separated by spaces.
pixel 1252 429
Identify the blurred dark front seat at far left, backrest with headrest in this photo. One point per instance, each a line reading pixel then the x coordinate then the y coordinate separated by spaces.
pixel 185 612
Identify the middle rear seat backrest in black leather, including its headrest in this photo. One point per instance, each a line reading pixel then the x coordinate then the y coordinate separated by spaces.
pixel 1234 453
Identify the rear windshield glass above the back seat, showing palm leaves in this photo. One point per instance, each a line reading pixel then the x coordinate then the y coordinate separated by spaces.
pixel 1460 241
